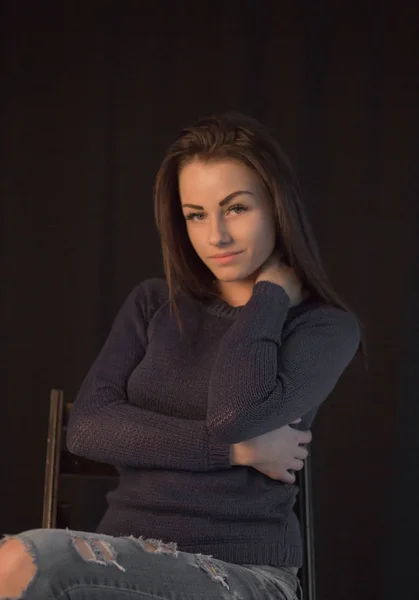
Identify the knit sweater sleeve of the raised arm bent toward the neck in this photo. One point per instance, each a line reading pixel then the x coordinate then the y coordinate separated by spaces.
pixel 262 381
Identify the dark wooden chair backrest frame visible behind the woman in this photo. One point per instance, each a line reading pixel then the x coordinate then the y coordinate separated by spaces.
pixel 58 460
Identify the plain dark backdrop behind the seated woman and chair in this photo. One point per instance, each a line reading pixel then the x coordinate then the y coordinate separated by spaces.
pixel 92 94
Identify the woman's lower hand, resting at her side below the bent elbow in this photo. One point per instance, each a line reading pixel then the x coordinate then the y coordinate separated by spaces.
pixel 274 453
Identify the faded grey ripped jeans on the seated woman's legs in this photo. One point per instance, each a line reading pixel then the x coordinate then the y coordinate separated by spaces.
pixel 77 565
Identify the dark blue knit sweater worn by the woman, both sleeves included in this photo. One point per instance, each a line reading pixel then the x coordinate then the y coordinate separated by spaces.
pixel 164 407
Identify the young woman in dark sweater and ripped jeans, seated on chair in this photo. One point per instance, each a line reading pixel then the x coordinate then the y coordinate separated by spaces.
pixel 196 393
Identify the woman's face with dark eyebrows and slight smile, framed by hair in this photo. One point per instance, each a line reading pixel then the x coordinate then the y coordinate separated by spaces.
pixel 227 211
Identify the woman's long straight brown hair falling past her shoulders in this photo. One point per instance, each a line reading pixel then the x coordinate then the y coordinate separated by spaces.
pixel 238 137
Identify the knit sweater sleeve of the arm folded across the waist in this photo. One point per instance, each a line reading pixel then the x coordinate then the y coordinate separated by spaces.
pixel 105 427
